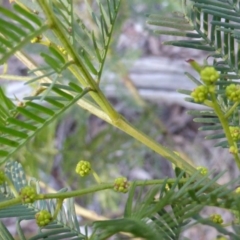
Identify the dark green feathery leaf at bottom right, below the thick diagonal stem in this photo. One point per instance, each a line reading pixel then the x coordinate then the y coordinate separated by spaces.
pixel 169 209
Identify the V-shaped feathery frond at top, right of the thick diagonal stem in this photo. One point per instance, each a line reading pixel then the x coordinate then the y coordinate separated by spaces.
pixel 90 45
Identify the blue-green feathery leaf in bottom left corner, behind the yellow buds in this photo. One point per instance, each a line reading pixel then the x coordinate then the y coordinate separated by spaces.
pixel 66 225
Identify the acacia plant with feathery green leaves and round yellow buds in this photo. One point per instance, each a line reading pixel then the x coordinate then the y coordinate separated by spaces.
pixel 74 53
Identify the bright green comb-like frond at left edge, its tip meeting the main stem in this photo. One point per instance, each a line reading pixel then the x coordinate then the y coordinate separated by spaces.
pixel 26 119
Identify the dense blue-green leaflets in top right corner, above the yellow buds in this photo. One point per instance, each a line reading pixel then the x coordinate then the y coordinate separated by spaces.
pixel 204 23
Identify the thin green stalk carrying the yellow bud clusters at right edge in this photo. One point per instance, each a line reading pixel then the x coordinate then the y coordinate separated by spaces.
pixel 225 126
